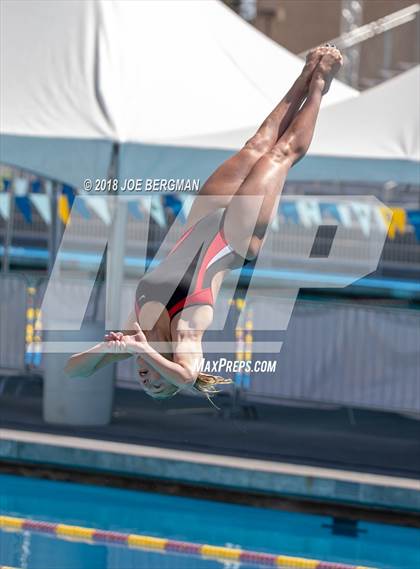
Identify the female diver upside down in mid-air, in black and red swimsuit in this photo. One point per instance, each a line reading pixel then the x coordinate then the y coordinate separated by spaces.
pixel 175 321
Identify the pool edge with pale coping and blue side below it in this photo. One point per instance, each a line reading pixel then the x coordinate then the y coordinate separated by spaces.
pixel 207 469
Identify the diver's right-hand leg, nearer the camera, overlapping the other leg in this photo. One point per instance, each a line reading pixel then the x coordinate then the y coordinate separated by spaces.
pixel 247 220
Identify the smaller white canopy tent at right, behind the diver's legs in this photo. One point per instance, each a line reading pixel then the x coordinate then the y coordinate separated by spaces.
pixel 372 138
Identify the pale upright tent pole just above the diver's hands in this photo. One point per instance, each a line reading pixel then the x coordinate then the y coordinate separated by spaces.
pixel 116 250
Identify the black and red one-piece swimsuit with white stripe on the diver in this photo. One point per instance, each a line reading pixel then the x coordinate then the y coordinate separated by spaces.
pixel 185 276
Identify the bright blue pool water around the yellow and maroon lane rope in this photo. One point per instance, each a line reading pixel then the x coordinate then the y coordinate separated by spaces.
pixel 376 545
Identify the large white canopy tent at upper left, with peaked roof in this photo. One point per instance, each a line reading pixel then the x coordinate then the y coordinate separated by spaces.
pixel 78 76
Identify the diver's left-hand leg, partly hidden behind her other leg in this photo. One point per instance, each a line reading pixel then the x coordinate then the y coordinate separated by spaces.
pixel 226 180
